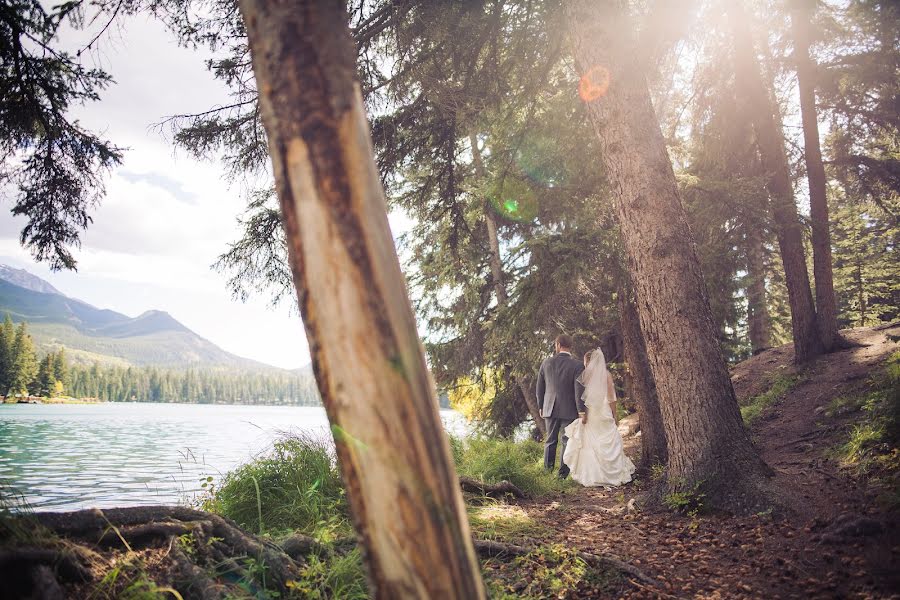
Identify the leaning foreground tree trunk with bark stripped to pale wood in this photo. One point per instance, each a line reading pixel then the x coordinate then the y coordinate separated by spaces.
pixel 369 364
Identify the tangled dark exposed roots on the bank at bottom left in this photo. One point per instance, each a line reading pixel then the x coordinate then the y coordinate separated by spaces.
pixel 205 553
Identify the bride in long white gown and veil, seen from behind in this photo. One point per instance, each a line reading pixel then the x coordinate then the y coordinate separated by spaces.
pixel 594 453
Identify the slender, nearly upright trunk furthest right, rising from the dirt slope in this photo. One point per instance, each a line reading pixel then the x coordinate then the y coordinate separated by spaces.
pixel 826 306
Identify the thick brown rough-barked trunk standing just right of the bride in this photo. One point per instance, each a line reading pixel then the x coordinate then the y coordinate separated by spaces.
pixel 708 444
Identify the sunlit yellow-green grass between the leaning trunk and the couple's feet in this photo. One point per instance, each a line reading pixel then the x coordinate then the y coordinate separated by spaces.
pixel 496 460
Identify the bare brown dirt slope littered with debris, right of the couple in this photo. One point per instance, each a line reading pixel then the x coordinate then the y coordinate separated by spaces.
pixel 840 538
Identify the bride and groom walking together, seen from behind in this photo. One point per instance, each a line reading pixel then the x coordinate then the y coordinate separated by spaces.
pixel 578 400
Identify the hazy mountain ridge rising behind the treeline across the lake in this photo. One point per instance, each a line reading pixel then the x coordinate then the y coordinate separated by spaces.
pixel 93 334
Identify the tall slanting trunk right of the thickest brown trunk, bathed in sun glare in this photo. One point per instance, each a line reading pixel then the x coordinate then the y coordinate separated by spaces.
pixel 761 111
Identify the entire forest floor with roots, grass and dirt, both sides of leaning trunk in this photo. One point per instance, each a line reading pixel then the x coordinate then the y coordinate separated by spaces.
pixel 830 432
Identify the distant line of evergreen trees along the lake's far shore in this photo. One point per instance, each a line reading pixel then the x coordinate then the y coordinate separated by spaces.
pixel 22 374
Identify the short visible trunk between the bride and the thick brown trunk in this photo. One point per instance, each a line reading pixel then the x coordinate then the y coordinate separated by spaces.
pixel 641 384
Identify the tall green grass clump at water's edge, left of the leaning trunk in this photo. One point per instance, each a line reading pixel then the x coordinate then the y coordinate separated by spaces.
pixel 296 486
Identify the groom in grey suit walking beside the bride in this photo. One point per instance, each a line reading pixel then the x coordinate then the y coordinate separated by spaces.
pixel 559 398
